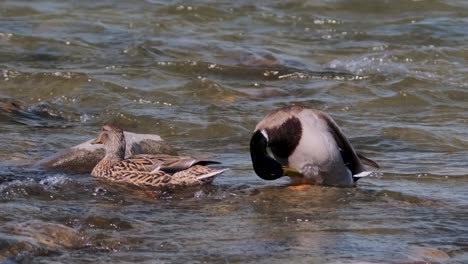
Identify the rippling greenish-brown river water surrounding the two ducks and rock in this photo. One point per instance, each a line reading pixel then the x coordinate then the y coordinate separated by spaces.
pixel 393 74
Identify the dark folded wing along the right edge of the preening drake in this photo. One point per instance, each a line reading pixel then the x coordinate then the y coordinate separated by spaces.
pixel 351 159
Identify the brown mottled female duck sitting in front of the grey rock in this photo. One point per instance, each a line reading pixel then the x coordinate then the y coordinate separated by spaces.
pixel 151 170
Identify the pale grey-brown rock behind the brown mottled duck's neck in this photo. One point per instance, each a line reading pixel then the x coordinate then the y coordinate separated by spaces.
pixel 83 157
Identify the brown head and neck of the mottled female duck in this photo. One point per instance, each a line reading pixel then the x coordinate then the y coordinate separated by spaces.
pixel 113 140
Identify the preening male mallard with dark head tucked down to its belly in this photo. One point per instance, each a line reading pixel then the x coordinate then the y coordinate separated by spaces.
pixel 307 145
